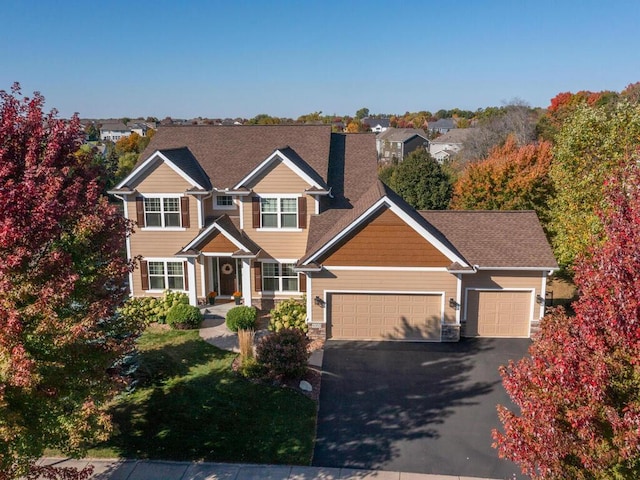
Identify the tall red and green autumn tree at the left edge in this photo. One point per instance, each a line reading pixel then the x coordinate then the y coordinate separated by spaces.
pixel 61 277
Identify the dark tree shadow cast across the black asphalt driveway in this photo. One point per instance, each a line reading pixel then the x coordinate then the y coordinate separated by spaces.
pixel 378 396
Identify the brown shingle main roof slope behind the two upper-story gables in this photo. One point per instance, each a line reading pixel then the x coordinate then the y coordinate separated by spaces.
pixel 229 153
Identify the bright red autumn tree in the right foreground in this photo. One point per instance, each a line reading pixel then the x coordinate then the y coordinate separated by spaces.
pixel 579 392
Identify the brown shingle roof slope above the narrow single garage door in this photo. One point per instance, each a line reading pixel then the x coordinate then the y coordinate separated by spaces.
pixel 495 238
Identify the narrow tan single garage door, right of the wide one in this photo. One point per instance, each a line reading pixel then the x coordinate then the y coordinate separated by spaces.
pixel 498 313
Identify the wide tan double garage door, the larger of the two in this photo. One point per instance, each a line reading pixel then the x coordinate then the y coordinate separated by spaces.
pixel 366 316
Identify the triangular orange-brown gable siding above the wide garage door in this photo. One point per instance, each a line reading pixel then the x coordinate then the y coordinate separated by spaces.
pixel 386 240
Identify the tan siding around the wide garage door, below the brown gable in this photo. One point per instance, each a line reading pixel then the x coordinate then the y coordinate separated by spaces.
pixel 383 281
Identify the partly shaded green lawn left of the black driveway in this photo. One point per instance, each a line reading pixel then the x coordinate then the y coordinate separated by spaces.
pixel 191 406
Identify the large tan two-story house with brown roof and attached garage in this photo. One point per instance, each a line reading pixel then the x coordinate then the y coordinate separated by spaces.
pixel 286 211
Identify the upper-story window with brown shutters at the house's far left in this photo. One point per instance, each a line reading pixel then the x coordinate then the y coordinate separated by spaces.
pixel 163 212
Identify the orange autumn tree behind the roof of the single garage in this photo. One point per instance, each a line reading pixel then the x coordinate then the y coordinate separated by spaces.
pixel 512 177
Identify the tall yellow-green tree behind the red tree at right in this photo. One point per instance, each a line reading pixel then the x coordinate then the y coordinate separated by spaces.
pixel 593 144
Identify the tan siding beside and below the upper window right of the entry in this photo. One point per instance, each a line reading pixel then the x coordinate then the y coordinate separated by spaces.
pixel 283 244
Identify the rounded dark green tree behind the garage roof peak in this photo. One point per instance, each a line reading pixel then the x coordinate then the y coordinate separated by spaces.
pixel 421 181
